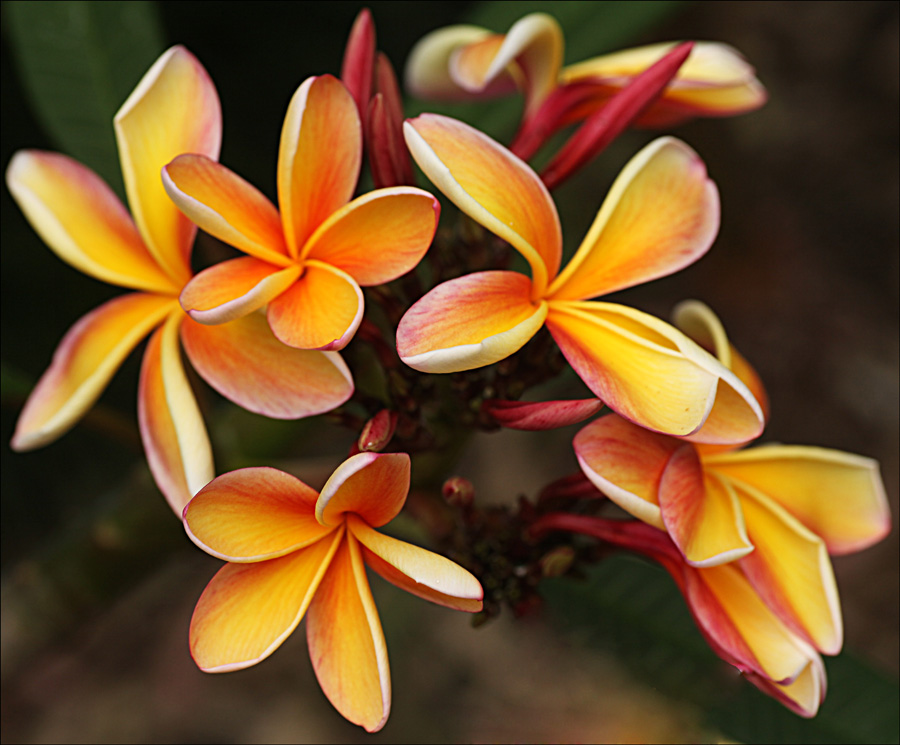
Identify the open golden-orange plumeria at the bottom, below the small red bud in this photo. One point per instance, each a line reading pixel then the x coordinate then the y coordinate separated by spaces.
pixel 293 552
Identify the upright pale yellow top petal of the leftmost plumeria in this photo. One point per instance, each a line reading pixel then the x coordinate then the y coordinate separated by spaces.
pixel 174 109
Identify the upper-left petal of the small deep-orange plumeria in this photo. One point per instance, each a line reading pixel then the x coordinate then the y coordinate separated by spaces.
pixel 224 205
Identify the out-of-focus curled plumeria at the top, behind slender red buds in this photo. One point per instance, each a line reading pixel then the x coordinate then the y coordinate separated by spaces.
pixel 463 62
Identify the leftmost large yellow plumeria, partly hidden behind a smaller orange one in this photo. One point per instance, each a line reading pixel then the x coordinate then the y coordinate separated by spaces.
pixel 174 109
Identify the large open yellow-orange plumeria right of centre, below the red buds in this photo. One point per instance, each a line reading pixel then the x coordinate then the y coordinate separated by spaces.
pixel 661 214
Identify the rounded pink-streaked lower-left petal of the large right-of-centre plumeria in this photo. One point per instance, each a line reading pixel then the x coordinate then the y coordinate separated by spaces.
pixel 469 322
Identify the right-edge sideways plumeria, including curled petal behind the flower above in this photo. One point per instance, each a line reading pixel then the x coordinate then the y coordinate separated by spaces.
pixel 777 511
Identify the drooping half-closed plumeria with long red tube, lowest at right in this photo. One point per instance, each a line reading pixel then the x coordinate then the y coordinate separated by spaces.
pixel 732 615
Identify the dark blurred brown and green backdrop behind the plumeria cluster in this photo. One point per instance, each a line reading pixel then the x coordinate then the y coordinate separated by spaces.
pixel 99 581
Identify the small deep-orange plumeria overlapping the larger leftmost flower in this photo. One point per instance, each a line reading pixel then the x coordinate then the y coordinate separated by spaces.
pixel 307 262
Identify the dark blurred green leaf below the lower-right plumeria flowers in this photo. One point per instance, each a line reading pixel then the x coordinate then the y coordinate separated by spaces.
pixel 634 610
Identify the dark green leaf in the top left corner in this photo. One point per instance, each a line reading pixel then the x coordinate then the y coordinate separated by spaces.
pixel 78 62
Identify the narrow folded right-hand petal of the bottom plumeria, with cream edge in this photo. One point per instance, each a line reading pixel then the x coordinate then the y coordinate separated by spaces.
pixel 423 573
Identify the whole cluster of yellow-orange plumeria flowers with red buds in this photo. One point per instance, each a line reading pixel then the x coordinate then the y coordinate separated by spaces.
pixel 746 532
